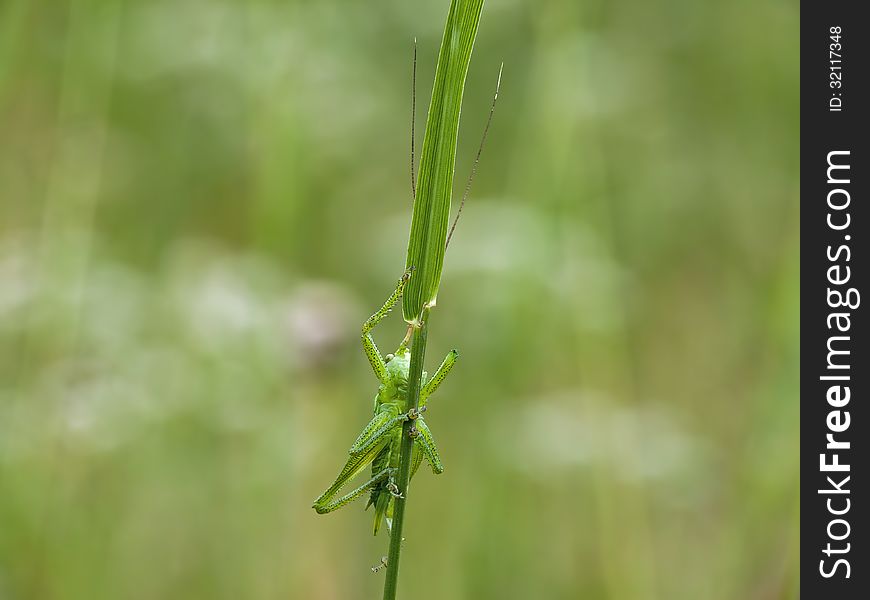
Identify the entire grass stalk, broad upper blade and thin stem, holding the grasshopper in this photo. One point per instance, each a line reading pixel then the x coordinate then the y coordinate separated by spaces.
pixel 426 245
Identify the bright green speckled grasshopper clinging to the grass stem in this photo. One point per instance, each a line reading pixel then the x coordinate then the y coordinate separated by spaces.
pixel 379 442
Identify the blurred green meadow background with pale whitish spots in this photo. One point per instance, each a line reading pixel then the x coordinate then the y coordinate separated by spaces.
pixel 201 201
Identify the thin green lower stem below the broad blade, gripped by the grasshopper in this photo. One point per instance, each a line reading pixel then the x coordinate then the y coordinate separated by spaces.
pixel 415 375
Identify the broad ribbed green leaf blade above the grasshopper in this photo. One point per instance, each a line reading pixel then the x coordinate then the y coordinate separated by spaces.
pixel 437 159
